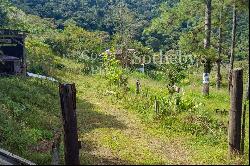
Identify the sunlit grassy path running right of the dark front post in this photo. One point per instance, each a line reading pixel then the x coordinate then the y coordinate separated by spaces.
pixel 115 136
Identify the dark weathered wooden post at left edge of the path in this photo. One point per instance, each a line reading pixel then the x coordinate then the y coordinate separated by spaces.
pixel 68 106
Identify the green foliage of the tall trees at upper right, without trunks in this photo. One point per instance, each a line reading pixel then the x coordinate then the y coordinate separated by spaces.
pixel 181 27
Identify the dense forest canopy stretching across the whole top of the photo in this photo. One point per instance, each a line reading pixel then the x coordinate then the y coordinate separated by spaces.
pixel 147 25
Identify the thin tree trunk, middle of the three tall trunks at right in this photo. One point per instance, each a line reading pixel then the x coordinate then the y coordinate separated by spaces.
pixel 219 77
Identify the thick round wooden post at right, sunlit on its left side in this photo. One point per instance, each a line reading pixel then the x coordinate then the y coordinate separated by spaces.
pixel 236 93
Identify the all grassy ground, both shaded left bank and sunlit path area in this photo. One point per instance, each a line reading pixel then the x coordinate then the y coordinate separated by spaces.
pixel 118 127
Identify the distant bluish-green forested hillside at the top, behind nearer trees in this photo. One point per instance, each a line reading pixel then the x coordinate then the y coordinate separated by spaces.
pixel 92 15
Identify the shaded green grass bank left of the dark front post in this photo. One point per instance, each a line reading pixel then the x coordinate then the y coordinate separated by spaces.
pixel 29 115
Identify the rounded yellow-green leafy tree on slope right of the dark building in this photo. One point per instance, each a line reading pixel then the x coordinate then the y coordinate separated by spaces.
pixel 74 42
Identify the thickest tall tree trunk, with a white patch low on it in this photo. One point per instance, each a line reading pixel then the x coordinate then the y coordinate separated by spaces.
pixel 207 41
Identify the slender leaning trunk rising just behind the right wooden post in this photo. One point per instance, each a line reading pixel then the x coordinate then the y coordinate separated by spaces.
pixel 233 44
